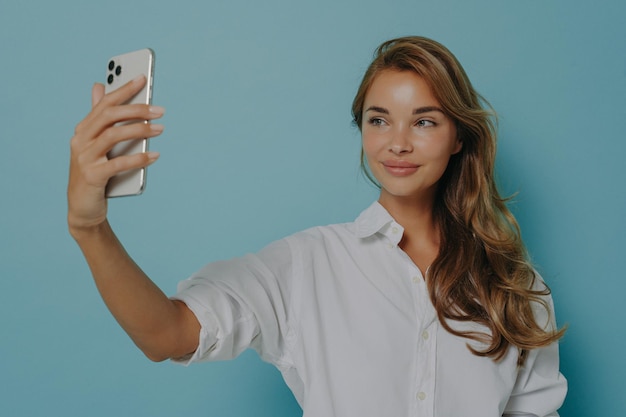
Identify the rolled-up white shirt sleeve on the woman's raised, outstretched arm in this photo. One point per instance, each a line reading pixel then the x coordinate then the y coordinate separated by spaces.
pixel 240 303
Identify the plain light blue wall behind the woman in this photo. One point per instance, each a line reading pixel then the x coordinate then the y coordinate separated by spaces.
pixel 259 144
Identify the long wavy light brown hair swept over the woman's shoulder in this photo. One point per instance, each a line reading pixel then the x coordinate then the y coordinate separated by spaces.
pixel 482 273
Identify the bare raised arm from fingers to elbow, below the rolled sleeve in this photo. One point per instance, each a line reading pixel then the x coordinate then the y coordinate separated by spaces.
pixel 160 327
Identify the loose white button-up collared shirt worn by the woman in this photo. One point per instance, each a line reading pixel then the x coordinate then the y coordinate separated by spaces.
pixel 345 315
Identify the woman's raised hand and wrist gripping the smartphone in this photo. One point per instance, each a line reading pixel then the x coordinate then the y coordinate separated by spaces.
pixel 94 137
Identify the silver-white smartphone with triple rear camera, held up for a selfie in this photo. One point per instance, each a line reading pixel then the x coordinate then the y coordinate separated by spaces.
pixel 120 70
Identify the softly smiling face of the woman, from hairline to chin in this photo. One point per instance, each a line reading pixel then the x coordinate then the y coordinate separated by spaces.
pixel 407 138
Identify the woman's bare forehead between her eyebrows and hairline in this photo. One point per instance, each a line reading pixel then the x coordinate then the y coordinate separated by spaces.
pixel 400 87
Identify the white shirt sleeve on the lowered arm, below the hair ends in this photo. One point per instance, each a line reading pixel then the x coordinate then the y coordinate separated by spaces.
pixel 540 388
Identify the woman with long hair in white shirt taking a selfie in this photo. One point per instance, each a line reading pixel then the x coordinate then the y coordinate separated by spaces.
pixel 425 305
